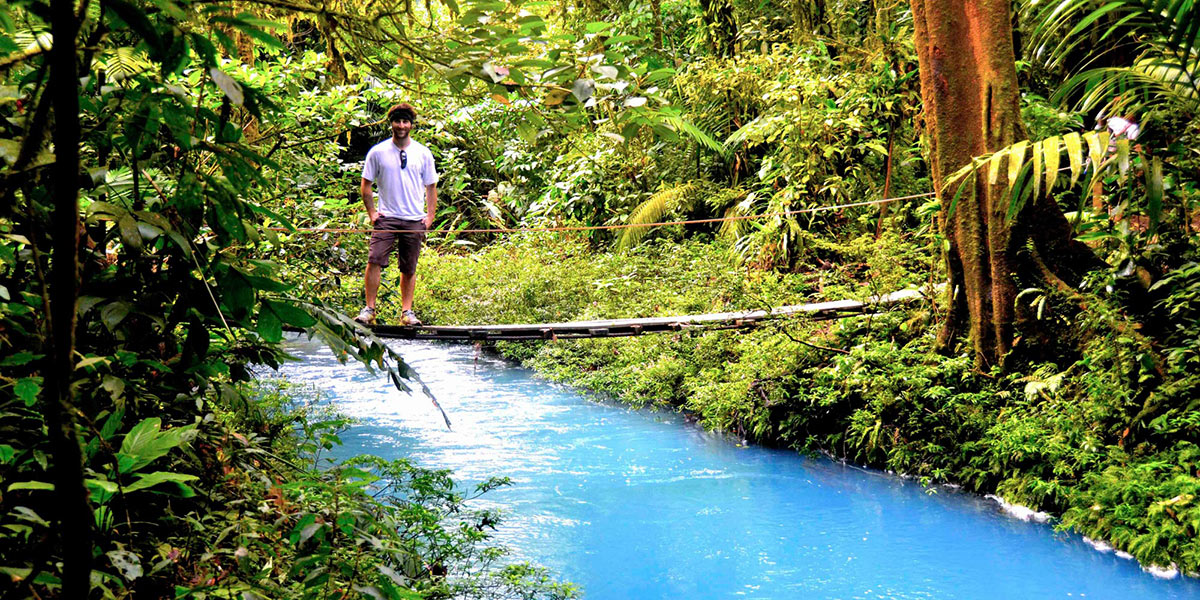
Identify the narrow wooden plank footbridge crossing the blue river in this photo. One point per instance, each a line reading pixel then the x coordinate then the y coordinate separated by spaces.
pixel 617 328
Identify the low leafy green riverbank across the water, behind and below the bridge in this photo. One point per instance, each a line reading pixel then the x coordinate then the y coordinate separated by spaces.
pixel 1063 439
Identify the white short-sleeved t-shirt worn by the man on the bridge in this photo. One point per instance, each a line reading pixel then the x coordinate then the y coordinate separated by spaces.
pixel 401 190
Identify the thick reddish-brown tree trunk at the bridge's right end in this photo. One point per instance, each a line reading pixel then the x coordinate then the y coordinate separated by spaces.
pixel 970 95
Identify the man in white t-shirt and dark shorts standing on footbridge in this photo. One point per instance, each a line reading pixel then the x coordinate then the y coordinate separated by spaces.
pixel 409 200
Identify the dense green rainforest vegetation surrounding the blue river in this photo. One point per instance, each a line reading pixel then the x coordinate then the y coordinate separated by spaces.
pixel 159 157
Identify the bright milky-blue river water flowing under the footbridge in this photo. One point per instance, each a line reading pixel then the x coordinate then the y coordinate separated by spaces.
pixel 640 505
